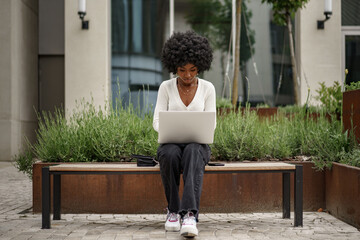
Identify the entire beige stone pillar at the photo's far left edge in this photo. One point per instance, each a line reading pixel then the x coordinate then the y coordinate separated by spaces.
pixel 18 75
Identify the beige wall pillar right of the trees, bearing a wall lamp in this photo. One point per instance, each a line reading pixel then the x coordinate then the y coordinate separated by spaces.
pixel 319 50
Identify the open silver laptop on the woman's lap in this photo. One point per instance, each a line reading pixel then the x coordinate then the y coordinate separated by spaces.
pixel 186 127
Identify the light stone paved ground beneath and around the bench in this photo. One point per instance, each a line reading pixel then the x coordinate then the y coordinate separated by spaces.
pixel 18 222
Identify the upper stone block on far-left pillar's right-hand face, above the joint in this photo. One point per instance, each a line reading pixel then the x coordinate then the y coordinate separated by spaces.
pixel 25 62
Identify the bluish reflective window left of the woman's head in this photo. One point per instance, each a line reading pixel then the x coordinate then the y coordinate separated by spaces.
pixel 137 38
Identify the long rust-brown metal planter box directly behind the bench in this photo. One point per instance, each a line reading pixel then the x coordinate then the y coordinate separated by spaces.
pixel 244 192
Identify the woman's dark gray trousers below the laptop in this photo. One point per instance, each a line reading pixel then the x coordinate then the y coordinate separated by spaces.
pixel 190 160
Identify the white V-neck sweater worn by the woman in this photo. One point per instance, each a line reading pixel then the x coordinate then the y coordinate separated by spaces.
pixel 169 99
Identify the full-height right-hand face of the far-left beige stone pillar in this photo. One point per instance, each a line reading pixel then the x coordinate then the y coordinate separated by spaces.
pixel 24 72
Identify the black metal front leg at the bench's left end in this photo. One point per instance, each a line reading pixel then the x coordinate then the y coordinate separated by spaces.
pixel 45 203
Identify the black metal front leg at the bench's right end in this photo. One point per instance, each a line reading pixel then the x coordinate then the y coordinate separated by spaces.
pixel 298 198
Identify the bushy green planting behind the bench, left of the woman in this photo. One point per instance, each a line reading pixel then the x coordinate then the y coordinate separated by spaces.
pixel 91 134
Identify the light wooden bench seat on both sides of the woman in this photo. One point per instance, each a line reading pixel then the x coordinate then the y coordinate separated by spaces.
pixel 121 167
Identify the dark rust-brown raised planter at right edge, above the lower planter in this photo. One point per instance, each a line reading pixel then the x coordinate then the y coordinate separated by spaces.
pixel 351 111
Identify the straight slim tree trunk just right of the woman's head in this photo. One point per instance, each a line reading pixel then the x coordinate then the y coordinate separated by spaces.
pixel 237 53
